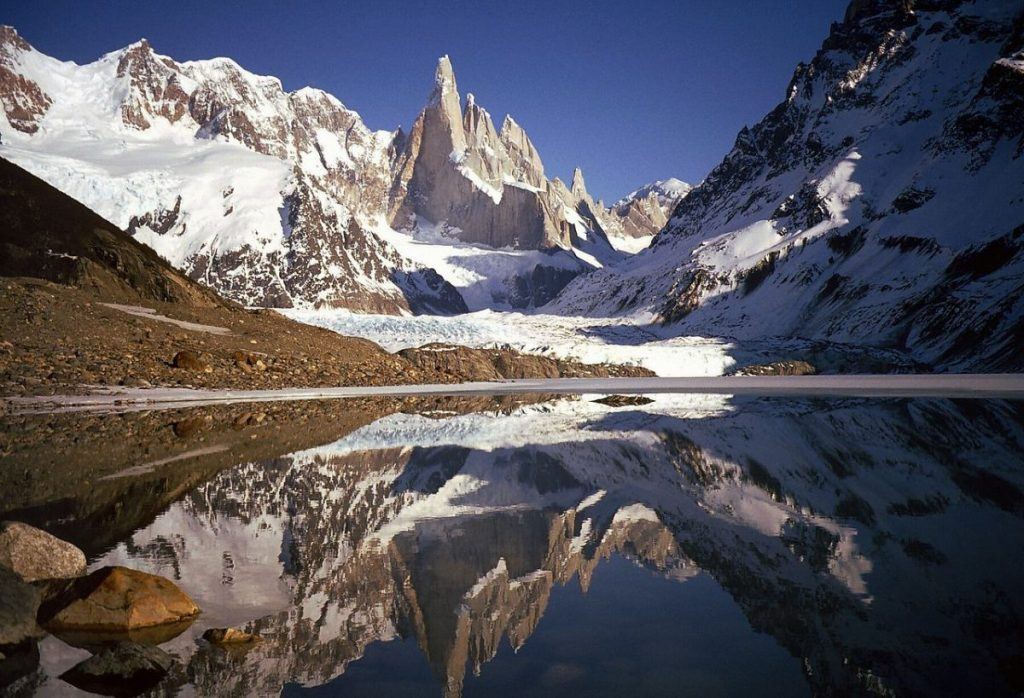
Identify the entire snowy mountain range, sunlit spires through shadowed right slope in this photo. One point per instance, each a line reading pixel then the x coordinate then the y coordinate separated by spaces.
pixel 880 204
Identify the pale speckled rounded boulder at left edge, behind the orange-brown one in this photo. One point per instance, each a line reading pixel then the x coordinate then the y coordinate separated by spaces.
pixel 34 554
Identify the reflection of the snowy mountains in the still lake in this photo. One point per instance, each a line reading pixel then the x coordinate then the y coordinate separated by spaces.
pixel 827 522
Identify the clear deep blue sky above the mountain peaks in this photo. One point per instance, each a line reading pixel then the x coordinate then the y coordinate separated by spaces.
pixel 630 92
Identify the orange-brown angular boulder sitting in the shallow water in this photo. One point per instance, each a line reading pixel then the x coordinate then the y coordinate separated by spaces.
pixel 115 599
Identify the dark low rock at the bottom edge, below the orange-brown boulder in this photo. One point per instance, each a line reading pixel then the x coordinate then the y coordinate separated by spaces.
pixel 124 670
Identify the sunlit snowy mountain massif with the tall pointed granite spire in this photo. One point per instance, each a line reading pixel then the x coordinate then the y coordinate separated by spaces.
pixel 287 199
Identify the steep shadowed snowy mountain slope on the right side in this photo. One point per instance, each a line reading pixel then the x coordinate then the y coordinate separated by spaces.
pixel 879 204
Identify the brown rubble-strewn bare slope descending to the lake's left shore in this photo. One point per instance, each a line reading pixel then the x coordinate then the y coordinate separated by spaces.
pixel 83 304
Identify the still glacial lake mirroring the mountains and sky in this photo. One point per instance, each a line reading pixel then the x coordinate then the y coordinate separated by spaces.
pixel 538 546
